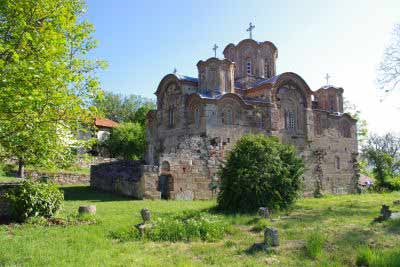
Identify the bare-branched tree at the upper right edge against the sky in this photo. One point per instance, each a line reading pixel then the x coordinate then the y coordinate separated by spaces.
pixel 389 69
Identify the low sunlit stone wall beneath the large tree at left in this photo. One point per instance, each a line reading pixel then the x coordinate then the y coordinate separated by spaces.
pixel 60 178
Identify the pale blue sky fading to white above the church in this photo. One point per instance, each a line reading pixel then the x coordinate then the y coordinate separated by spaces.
pixel 143 41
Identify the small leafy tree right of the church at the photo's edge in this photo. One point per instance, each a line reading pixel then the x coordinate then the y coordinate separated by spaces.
pixel 383 155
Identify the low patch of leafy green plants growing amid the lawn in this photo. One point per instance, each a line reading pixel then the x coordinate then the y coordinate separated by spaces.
pixel 186 227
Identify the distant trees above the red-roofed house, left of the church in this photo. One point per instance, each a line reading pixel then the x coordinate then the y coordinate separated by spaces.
pixel 121 108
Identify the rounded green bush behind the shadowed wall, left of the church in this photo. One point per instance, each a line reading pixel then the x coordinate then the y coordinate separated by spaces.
pixel 127 141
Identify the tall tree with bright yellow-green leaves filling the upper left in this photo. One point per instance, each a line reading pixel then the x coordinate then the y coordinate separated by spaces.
pixel 46 77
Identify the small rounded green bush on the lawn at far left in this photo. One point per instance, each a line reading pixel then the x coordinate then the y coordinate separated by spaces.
pixel 34 199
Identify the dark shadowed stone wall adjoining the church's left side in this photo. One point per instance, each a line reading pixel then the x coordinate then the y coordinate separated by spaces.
pixel 121 177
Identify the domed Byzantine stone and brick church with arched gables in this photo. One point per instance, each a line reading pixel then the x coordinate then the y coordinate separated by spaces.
pixel 199 119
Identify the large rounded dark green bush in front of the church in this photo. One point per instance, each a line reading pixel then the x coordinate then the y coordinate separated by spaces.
pixel 260 172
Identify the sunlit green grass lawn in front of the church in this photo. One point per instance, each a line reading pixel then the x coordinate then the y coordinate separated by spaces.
pixel 344 221
